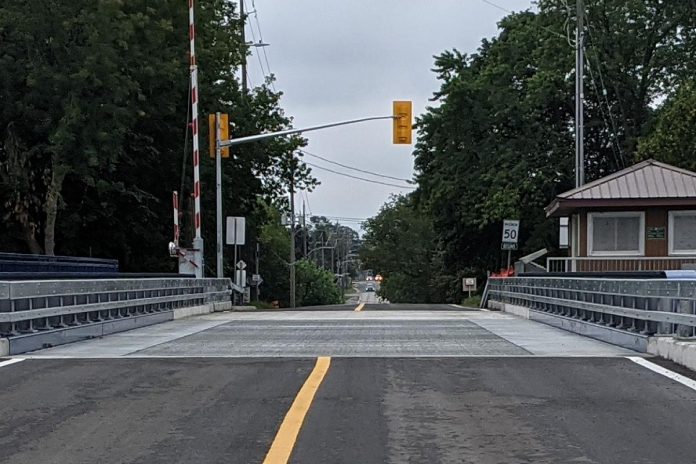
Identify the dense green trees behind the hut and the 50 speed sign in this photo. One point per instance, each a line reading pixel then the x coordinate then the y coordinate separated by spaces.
pixel 498 142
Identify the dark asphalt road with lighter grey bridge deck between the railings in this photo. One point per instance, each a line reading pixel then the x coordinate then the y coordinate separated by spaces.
pixel 405 385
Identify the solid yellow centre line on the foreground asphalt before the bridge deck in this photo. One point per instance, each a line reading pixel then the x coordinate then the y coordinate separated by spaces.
pixel 285 439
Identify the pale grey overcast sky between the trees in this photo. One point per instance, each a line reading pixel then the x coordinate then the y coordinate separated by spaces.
pixel 336 60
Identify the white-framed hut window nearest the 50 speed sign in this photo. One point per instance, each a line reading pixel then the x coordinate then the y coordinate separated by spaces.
pixel 616 233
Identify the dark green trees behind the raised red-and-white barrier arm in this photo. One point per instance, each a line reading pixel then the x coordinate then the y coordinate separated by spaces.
pixel 94 134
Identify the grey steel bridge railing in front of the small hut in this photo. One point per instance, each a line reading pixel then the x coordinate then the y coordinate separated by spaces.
pixel 648 307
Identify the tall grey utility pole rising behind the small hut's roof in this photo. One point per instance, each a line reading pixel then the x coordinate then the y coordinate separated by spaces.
pixel 579 96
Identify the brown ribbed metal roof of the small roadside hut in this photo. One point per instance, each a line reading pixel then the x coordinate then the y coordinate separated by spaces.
pixel 648 182
